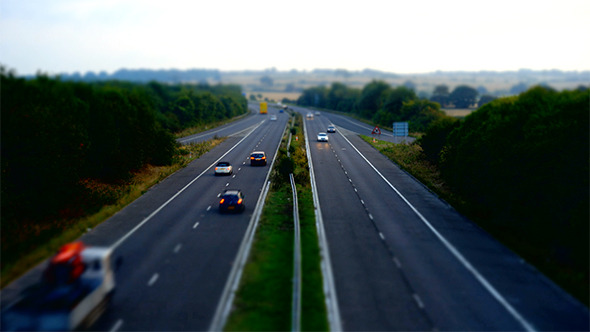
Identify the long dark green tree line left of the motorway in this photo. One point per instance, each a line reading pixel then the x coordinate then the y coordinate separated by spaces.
pixel 56 134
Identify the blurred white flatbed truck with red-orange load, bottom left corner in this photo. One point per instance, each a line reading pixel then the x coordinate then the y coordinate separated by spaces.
pixel 75 289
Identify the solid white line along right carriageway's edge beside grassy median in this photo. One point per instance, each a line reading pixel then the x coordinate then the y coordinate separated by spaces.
pixel 326 264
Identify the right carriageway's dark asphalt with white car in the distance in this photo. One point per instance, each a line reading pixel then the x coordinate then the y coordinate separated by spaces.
pixel 403 259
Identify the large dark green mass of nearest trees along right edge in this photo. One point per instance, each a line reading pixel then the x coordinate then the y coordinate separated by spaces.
pixel 521 165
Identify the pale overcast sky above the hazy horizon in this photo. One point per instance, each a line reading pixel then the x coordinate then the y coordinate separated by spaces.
pixel 66 36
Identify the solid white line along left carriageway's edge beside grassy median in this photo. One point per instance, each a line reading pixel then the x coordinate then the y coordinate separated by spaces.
pixel 233 281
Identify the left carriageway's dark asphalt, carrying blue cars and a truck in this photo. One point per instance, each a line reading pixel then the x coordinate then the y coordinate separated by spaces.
pixel 177 249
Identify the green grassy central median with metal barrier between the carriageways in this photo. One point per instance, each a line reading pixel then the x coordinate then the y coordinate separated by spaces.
pixel 263 300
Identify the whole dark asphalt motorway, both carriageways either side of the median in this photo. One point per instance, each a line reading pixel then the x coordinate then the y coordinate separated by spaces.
pixel 401 258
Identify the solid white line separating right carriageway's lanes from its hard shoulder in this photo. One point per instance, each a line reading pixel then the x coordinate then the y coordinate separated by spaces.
pixel 483 281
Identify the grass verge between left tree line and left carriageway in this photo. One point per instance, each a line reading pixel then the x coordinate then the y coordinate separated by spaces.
pixel 34 241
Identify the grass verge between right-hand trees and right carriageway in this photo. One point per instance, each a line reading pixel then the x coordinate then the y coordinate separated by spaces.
pixel 411 159
